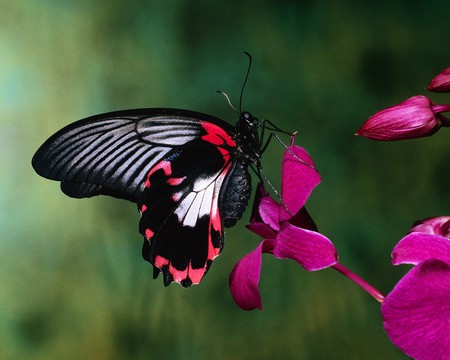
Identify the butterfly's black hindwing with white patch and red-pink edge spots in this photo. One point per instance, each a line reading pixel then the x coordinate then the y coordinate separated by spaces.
pixel 180 211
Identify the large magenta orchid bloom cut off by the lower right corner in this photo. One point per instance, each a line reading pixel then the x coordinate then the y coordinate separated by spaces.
pixel 416 313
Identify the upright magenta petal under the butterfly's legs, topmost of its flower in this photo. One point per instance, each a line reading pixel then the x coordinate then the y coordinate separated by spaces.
pixel 298 179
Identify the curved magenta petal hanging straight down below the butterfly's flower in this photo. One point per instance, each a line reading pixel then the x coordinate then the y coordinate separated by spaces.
pixel 244 278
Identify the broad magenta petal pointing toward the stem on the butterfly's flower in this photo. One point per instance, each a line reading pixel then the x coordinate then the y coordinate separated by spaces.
pixel 311 250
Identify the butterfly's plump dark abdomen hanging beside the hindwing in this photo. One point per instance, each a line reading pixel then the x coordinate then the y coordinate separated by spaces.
pixel 235 194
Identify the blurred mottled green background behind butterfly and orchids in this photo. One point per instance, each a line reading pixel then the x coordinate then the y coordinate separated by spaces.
pixel 73 283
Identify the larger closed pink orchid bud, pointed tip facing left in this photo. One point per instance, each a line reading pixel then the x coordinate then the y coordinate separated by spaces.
pixel 415 117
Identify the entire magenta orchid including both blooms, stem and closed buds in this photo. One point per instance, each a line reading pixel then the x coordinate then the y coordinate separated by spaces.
pixel 416 313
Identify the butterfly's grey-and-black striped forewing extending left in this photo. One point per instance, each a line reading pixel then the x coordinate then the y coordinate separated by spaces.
pixel 110 154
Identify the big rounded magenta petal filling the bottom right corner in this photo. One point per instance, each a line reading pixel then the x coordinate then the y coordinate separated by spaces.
pixel 417 313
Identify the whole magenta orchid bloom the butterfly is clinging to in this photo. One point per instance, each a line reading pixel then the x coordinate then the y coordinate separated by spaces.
pixel 287 229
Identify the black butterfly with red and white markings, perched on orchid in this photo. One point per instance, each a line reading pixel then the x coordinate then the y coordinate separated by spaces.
pixel 187 172
